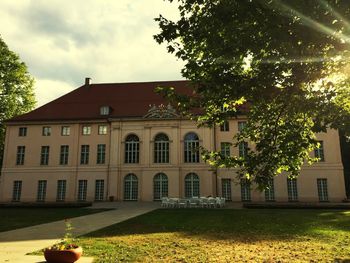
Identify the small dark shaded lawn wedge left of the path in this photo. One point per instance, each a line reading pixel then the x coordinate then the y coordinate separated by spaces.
pixel 13 218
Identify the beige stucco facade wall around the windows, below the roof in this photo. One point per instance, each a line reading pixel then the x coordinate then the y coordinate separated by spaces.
pixel 114 170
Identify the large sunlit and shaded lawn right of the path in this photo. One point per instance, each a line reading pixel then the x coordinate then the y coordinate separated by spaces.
pixel 200 235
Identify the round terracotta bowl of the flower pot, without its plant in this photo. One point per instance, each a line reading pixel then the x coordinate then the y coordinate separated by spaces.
pixel 63 256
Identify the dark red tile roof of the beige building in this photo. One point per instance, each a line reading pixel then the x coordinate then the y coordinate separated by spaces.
pixel 83 103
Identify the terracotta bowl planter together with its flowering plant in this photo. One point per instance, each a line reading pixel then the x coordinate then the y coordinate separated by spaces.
pixel 67 251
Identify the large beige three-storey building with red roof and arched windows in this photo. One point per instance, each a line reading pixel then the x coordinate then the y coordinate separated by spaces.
pixel 119 141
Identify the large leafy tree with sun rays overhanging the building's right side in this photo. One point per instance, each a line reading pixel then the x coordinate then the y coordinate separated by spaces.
pixel 284 64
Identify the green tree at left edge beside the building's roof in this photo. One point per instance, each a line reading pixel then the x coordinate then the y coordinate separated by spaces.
pixel 16 89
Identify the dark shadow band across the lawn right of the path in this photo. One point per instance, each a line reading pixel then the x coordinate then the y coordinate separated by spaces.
pixel 240 225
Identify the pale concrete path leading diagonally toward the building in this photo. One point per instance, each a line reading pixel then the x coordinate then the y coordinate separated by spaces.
pixel 15 244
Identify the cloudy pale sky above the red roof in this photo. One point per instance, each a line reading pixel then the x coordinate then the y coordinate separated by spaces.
pixel 64 41
